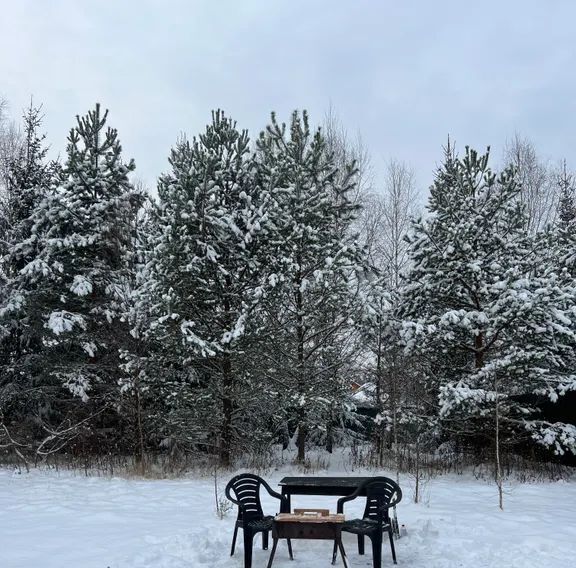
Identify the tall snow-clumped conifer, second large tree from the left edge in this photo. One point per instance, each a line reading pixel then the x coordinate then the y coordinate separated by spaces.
pixel 82 235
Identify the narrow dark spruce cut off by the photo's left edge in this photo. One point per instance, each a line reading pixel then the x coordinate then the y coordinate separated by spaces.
pixel 28 180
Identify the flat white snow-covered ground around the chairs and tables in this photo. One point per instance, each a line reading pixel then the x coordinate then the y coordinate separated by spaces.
pixel 66 520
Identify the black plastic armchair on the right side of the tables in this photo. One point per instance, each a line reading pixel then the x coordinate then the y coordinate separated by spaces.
pixel 381 495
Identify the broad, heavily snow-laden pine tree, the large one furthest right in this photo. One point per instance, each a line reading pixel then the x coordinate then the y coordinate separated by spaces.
pixel 494 320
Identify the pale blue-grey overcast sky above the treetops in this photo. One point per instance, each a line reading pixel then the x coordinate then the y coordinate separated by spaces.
pixel 404 74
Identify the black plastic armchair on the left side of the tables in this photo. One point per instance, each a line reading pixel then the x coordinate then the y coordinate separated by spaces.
pixel 251 519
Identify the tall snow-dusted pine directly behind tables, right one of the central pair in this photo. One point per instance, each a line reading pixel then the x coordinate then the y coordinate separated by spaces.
pixel 316 271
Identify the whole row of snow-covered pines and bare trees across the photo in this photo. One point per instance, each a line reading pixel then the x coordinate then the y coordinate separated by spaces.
pixel 267 295
